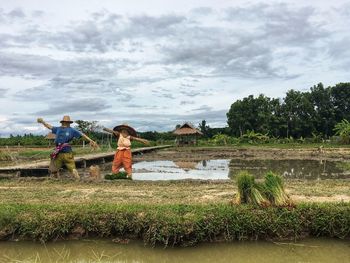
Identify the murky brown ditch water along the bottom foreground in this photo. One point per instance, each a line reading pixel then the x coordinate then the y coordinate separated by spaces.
pixel 310 250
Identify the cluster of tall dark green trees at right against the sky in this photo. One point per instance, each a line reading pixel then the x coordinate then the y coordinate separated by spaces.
pixel 299 114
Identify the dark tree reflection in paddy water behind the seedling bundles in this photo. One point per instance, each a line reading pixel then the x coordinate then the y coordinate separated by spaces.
pixel 298 169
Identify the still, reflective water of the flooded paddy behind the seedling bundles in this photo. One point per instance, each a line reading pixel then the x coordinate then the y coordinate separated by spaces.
pixel 227 168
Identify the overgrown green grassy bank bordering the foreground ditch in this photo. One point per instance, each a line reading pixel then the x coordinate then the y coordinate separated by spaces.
pixel 170 225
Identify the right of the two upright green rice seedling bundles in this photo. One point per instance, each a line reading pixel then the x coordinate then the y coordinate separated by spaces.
pixel 274 190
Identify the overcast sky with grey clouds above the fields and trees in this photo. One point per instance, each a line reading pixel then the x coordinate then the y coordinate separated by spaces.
pixel 157 63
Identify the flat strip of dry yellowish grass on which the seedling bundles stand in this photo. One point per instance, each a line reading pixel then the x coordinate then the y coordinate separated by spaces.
pixel 46 191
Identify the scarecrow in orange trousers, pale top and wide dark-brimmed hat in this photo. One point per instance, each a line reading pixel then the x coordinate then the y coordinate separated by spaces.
pixel 123 157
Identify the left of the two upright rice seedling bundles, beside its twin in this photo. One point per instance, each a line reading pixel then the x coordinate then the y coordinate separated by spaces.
pixel 248 190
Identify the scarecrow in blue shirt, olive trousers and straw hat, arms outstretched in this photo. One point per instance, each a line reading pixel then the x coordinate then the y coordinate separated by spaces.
pixel 63 155
